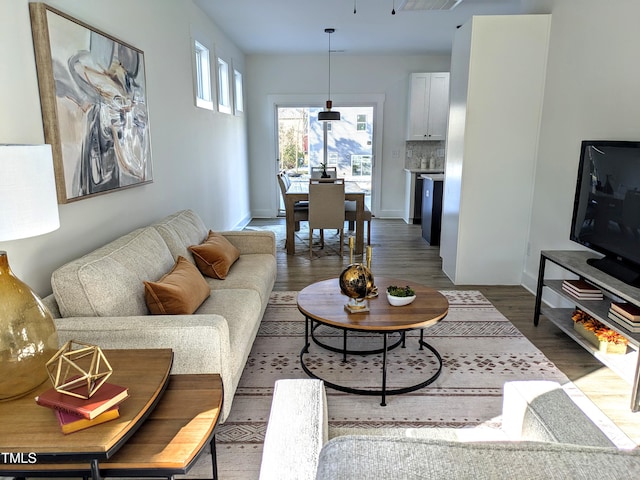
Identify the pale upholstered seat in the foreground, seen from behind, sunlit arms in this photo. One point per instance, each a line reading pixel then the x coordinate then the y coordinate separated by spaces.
pixel 545 436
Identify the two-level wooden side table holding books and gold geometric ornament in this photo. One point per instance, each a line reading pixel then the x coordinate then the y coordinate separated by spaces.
pixel 164 425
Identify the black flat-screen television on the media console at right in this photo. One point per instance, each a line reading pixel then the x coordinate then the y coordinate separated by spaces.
pixel 606 213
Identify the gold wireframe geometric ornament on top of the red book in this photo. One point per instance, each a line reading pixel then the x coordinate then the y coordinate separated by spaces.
pixel 78 369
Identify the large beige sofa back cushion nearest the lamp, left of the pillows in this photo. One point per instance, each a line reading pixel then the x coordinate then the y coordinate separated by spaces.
pixel 108 281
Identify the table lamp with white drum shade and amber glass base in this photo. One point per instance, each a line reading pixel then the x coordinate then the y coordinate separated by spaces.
pixel 28 336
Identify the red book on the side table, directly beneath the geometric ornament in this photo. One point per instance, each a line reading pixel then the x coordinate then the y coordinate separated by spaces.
pixel 107 396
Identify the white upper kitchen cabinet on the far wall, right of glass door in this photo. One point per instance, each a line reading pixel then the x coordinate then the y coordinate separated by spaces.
pixel 428 106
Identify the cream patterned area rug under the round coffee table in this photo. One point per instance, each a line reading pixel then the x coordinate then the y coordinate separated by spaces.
pixel 480 350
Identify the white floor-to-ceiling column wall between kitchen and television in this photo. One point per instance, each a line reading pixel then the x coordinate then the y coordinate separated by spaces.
pixel 491 148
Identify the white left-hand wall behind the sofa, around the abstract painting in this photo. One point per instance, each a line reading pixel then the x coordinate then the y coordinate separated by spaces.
pixel 199 157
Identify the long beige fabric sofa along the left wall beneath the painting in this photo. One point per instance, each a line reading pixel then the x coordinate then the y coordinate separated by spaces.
pixel 100 298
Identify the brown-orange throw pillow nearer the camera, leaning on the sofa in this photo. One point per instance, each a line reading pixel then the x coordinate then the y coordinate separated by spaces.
pixel 180 292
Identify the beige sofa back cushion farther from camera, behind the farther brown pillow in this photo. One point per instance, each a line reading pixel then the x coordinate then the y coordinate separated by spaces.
pixel 180 231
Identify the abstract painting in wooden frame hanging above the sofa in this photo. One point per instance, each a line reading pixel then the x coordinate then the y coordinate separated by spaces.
pixel 94 106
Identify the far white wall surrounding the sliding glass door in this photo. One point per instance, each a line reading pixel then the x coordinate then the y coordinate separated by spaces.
pixel 387 76
